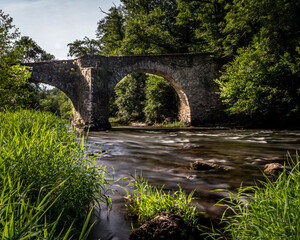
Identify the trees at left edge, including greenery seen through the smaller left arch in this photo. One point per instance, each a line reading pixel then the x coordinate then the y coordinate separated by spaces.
pixel 15 90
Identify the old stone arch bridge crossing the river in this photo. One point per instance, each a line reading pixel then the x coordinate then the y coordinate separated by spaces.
pixel 89 82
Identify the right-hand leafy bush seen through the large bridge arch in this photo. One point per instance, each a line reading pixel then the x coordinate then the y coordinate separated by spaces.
pixel 161 100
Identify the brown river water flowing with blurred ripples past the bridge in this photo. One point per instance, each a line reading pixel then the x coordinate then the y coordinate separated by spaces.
pixel 164 158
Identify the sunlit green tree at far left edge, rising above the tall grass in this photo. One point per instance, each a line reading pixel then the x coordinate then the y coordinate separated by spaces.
pixel 13 76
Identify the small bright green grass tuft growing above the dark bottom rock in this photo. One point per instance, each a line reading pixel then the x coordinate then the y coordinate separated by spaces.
pixel 149 201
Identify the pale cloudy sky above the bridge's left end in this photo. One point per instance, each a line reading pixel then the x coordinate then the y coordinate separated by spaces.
pixel 52 24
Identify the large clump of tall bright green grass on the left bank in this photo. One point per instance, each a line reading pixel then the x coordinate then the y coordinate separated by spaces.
pixel 48 182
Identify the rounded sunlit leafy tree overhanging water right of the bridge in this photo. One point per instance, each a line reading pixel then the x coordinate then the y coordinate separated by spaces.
pixel 256 83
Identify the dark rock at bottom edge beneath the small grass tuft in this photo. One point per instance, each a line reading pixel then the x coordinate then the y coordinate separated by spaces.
pixel 167 226
